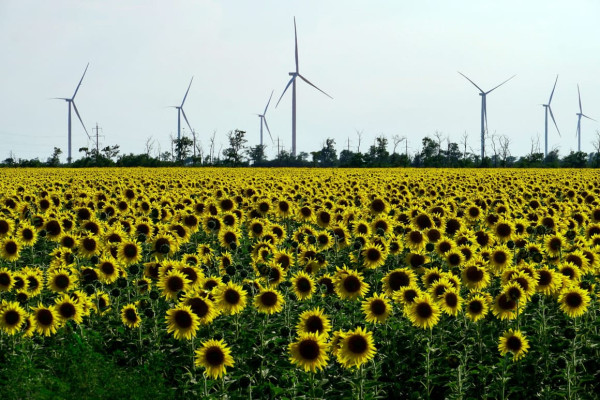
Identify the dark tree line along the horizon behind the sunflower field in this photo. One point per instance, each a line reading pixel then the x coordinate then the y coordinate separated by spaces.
pixel 435 152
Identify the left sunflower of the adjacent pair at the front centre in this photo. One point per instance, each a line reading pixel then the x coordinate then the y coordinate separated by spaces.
pixel 309 352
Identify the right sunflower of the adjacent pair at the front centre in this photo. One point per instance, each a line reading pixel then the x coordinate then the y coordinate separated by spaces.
pixel 355 348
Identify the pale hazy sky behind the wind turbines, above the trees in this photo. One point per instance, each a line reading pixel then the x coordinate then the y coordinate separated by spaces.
pixel 390 66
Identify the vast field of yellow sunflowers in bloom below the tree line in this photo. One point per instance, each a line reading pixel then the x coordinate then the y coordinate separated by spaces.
pixel 299 283
